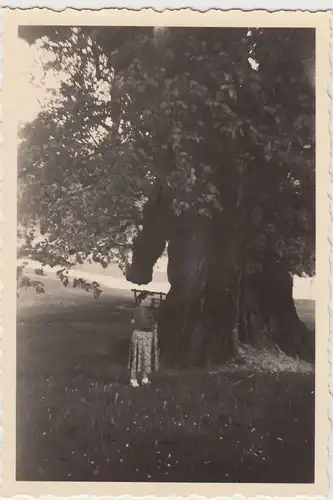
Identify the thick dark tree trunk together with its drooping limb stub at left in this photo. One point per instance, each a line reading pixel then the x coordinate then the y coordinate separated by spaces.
pixel 213 305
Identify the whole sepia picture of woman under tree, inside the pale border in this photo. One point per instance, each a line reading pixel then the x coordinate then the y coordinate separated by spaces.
pixel 167 261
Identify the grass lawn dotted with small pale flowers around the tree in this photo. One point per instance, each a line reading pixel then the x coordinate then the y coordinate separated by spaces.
pixel 77 419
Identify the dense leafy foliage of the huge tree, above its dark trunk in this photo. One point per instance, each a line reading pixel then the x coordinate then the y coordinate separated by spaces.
pixel 227 123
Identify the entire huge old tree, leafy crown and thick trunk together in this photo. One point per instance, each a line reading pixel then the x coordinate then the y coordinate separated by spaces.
pixel 201 139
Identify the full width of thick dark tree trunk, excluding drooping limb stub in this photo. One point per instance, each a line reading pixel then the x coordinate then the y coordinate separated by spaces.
pixel 207 312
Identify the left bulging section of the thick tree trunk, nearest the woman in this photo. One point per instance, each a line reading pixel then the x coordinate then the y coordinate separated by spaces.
pixel 199 314
